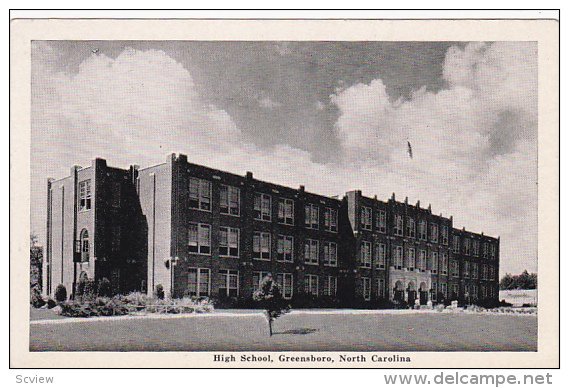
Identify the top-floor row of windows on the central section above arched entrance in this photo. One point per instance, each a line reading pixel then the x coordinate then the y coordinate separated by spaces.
pixel 411 230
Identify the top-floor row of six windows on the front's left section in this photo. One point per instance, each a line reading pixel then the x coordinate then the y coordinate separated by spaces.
pixel 230 203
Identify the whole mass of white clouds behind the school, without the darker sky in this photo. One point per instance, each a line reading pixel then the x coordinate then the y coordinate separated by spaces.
pixel 474 141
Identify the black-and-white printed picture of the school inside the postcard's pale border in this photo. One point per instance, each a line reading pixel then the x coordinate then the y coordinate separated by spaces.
pixel 354 200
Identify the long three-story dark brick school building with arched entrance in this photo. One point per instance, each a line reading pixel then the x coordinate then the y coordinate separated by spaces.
pixel 202 232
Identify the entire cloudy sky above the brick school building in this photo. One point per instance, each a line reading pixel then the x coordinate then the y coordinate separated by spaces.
pixel 334 116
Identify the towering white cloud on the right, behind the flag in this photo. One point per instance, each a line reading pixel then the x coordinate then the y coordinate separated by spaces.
pixel 474 142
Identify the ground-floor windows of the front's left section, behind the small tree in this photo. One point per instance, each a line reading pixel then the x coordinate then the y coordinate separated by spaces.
pixel 199 283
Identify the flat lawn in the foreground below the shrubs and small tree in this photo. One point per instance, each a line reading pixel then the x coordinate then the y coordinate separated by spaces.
pixel 298 332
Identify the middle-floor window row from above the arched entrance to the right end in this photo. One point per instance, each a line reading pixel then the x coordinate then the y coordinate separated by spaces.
pixel 433 262
